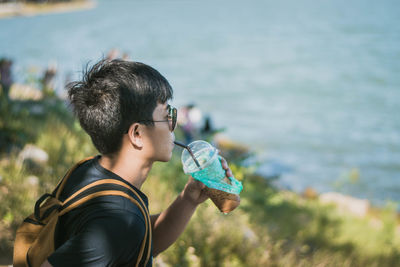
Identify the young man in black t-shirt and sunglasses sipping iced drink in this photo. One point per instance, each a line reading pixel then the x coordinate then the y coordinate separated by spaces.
pixel 124 108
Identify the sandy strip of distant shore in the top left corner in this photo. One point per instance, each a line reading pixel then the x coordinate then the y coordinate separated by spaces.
pixel 11 10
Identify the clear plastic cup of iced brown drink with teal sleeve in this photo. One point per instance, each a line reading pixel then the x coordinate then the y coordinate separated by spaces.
pixel 223 191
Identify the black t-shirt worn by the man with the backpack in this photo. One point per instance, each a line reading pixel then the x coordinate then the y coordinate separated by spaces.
pixel 105 231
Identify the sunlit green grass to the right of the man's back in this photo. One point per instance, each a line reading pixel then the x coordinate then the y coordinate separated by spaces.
pixel 276 228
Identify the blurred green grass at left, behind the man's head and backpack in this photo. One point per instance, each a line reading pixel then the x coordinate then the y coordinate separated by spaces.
pixel 56 132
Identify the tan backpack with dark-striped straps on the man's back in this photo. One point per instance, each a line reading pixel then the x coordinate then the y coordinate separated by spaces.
pixel 34 241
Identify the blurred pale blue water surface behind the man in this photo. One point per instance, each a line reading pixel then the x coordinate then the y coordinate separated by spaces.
pixel 313 85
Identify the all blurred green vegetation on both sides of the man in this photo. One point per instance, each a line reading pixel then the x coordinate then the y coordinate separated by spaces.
pixel 270 227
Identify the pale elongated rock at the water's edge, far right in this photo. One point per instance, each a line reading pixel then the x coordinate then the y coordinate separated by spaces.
pixel 358 207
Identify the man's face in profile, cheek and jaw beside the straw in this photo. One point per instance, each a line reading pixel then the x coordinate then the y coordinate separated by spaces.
pixel 159 140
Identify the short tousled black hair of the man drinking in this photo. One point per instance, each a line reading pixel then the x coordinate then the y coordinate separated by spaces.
pixel 112 95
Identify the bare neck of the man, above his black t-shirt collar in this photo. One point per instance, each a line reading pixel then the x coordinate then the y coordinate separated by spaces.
pixel 133 170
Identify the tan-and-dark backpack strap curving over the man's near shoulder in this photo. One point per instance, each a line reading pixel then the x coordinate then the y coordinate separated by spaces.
pixel 71 204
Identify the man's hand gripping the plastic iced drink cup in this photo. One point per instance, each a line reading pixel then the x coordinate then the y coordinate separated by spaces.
pixel 193 191
